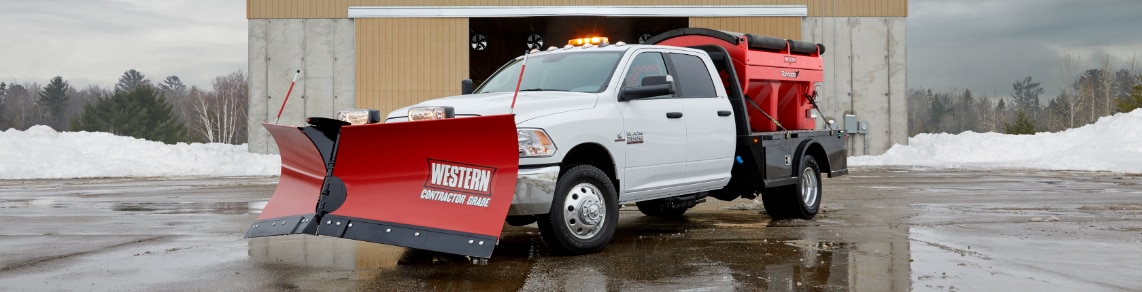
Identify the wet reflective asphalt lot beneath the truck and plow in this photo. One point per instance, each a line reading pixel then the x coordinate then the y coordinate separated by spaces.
pixel 882 230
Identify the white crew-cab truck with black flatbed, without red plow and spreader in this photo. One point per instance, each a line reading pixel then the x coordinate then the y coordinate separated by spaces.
pixel 604 126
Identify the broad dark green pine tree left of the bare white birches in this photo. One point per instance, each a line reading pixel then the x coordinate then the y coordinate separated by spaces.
pixel 142 113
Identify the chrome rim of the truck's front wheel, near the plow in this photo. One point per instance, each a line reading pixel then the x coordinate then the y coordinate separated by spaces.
pixel 584 212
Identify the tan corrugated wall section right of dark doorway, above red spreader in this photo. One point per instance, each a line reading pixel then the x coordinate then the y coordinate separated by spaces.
pixel 786 28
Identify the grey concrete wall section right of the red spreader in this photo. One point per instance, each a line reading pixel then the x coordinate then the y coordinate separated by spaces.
pixel 865 75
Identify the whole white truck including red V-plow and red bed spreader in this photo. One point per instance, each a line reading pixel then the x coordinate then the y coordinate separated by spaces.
pixel 699 113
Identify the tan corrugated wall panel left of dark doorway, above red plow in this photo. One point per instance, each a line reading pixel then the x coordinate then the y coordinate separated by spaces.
pixel 406 61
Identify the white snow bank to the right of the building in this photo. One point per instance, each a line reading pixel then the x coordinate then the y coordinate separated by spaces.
pixel 1112 144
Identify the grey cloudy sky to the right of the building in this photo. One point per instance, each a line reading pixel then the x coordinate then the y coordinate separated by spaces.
pixel 986 46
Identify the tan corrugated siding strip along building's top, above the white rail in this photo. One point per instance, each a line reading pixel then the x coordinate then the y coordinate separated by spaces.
pixel 340 9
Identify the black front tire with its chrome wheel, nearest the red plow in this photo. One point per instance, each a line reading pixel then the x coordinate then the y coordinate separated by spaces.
pixel 584 213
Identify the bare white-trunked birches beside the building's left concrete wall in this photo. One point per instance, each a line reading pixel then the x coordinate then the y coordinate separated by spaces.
pixel 220 116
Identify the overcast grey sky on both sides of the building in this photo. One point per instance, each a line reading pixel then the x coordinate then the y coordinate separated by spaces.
pixel 978 45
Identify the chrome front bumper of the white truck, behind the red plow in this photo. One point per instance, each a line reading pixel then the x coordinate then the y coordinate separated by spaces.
pixel 535 190
